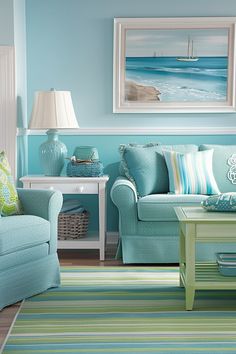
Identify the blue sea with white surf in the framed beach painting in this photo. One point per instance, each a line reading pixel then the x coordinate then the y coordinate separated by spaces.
pixel 181 81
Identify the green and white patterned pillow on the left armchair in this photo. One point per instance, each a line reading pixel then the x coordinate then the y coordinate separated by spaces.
pixel 9 201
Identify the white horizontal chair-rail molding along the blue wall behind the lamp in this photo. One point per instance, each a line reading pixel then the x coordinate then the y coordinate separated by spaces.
pixel 140 131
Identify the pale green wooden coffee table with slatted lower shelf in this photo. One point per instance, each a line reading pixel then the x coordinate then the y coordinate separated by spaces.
pixel 198 225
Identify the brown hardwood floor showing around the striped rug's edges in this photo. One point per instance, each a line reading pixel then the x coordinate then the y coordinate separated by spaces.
pixel 67 258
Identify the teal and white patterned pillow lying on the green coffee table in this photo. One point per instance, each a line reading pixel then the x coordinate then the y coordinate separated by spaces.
pixel 221 202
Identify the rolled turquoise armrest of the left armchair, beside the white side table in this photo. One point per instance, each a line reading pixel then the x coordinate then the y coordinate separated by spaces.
pixel 46 204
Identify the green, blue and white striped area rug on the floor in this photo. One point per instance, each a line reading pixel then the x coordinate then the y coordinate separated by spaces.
pixel 123 310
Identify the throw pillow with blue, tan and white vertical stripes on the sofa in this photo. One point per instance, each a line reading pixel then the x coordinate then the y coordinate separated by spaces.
pixel 191 173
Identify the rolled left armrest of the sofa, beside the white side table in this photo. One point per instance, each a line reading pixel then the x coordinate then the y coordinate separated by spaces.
pixel 124 196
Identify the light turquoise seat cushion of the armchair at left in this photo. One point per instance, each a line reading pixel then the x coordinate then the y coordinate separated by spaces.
pixel 22 231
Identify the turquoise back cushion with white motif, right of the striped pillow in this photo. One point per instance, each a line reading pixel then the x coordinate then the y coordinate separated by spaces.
pixel 224 166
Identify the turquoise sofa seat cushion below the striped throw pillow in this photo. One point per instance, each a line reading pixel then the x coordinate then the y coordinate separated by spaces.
pixel 160 207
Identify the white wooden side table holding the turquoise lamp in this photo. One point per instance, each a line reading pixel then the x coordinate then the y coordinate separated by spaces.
pixel 77 185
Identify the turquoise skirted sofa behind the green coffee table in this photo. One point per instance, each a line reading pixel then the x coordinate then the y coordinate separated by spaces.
pixel 148 227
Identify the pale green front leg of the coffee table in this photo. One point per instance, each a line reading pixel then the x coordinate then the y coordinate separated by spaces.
pixel 190 266
